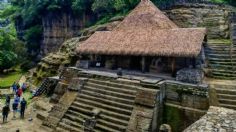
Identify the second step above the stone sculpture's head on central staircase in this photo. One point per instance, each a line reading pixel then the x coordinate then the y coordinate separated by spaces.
pixel 106 101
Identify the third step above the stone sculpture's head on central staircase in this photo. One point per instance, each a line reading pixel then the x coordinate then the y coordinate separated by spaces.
pixel 108 97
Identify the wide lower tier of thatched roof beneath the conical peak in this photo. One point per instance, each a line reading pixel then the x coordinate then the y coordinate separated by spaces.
pixel 172 42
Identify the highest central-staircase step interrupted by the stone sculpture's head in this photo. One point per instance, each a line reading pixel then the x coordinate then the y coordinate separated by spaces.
pixel 80 107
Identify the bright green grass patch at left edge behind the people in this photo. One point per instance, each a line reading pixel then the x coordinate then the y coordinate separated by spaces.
pixel 8 79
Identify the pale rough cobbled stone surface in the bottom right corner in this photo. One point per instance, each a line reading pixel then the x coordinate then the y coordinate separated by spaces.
pixel 217 119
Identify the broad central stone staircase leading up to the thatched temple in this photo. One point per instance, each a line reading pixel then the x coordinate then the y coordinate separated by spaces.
pixel 115 99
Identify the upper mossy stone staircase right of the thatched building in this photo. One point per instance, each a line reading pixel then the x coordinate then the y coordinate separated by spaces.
pixel 221 57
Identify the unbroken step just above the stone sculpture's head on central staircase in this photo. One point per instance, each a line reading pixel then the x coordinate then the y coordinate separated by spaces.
pixel 104 106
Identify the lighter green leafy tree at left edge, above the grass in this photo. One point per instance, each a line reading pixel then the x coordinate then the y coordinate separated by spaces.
pixel 12 50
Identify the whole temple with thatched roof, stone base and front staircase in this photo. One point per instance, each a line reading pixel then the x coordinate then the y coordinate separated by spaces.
pixel 148 50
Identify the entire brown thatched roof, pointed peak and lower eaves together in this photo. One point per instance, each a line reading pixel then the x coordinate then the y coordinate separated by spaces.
pixel 146 31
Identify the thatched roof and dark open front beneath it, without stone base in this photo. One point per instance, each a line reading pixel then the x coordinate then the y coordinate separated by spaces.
pixel 146 40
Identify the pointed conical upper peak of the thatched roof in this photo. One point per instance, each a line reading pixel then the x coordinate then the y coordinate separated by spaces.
pixel 146 15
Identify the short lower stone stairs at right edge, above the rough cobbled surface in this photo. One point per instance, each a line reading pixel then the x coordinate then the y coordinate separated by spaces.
pixel 226 95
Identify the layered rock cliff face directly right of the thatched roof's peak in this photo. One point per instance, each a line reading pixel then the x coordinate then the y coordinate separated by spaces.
pixel 214 17
